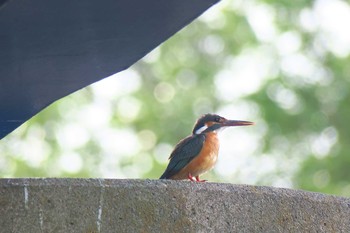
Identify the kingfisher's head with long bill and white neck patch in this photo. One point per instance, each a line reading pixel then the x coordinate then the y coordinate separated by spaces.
pixel 213 123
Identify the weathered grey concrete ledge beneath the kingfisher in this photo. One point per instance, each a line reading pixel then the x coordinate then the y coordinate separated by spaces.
pixel 97 205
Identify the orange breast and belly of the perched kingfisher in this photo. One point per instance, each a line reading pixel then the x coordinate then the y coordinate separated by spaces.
pixel 204 161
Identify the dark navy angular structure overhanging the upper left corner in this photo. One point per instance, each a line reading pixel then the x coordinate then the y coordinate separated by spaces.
pixel 49 49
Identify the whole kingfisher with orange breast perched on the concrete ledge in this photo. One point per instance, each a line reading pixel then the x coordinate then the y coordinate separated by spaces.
pixel 198 153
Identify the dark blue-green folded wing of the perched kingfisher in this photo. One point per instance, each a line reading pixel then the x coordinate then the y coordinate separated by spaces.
pixel 184 152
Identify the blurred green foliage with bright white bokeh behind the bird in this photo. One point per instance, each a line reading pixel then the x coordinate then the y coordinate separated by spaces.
pixel 282 64
